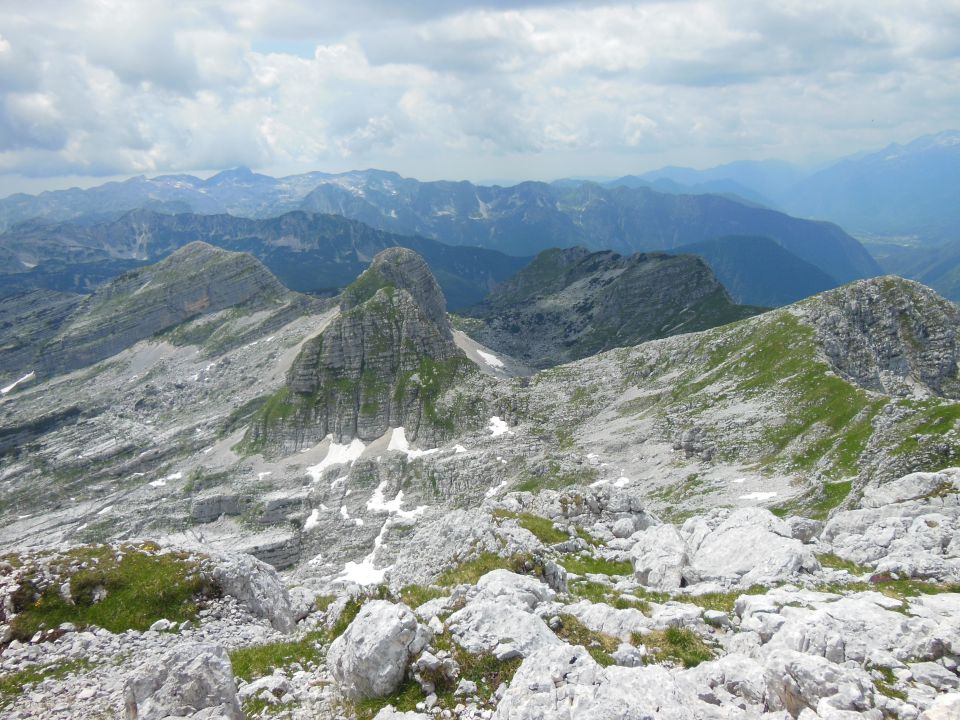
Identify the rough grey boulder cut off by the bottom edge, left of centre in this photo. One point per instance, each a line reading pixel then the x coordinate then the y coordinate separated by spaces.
pixel 193 678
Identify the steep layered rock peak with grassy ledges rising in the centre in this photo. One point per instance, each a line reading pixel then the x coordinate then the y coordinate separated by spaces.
pixel 382 363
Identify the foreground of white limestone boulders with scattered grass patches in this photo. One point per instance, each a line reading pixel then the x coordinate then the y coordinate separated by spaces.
pixel 574 604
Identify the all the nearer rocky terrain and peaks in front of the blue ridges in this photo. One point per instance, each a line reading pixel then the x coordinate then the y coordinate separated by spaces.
pixel 356 509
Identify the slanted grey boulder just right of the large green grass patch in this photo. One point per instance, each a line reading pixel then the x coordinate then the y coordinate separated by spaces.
pixel 257 587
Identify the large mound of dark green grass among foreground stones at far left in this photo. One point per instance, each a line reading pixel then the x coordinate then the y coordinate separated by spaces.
pixel 138 586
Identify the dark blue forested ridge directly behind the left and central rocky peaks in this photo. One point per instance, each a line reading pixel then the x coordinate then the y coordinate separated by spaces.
pixel 306 252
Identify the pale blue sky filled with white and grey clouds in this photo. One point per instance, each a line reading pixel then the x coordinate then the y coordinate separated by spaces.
pixel 92 90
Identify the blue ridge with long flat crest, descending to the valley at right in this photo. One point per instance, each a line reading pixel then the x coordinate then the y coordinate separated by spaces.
pixel 531 217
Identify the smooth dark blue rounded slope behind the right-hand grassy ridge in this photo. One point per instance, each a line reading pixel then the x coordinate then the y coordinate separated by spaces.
pixel 758 271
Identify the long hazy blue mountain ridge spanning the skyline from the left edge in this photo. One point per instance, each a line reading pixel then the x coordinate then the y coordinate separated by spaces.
pixel 520 220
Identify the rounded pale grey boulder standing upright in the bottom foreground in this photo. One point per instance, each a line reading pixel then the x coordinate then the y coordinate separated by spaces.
pixel 370 658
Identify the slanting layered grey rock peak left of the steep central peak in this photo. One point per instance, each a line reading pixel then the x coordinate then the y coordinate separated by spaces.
pixel 197 279
